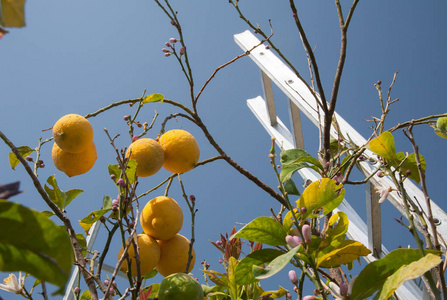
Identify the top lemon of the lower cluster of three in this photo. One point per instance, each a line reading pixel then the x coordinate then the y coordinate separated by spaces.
pixel 162 218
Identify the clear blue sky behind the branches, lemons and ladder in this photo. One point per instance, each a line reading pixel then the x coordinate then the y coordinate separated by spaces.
pixel 76 57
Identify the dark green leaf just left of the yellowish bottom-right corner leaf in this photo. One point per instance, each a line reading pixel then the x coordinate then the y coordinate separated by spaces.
pixel 374 275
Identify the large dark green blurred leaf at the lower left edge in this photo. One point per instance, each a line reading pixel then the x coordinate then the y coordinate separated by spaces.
pixel 34 244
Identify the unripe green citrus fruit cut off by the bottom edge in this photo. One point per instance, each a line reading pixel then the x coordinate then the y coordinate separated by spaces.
pixel 180 286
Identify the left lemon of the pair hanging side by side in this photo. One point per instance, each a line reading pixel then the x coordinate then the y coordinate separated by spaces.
pixel 148 154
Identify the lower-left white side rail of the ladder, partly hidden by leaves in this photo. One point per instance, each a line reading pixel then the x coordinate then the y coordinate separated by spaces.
pixel 357 227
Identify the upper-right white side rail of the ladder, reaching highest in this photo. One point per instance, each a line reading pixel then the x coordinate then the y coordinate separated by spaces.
pixel 299 93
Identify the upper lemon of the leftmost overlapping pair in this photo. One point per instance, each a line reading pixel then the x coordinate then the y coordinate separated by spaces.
pixel 73 133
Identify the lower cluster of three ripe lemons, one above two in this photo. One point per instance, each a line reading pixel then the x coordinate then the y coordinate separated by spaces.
pixel 161 246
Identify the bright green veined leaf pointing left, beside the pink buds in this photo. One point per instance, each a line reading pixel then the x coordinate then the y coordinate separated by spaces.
pixel 263 230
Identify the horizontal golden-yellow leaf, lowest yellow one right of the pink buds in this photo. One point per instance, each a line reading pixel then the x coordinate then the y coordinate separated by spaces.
pixel 345 252
